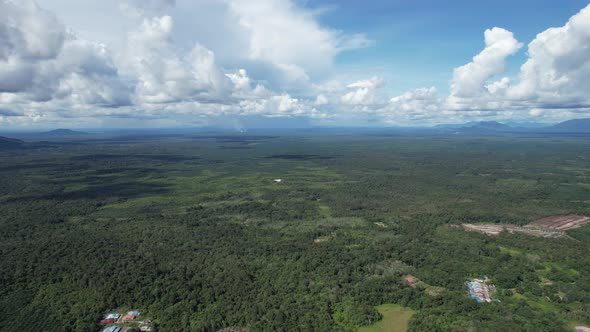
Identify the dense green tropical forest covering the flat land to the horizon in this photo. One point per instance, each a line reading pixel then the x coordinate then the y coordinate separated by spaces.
pixel 292 232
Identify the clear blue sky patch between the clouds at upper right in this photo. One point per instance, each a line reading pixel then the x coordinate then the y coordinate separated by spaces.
pixel 420 42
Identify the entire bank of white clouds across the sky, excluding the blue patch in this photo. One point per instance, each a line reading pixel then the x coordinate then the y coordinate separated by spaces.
pixel 167 59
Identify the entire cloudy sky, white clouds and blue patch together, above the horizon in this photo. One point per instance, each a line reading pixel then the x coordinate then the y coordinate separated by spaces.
pixel 280 63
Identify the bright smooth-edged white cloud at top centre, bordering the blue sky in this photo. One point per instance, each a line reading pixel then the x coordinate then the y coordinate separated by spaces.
pixel 289 37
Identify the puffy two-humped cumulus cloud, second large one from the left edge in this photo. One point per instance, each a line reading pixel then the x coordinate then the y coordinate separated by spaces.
pixel 164 74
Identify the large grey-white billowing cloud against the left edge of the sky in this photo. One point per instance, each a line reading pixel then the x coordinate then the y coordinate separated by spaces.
pixel 41 61
